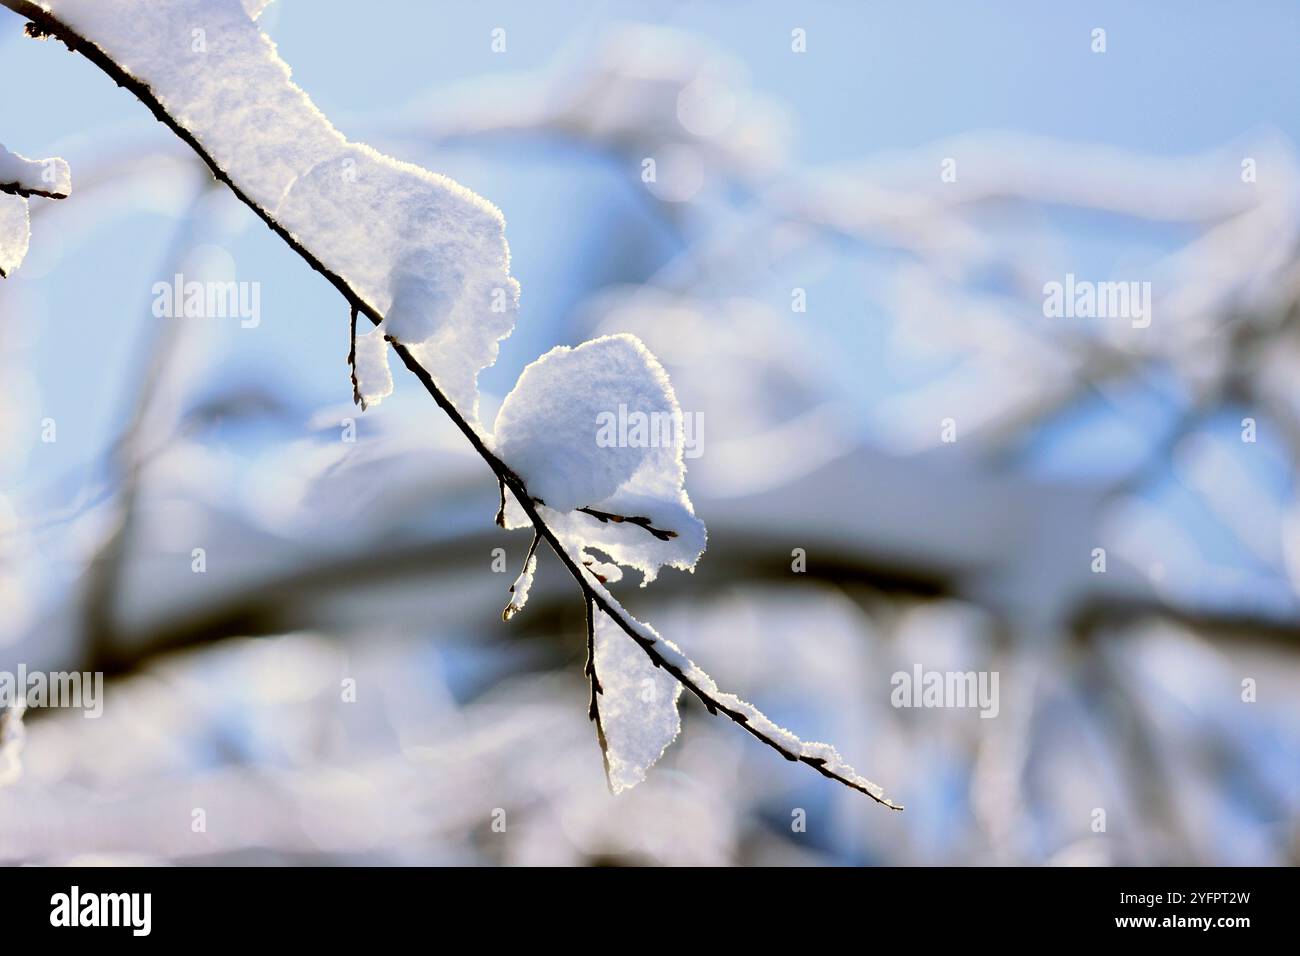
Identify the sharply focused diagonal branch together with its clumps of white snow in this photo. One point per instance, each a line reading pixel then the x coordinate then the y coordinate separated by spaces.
pixel 426 261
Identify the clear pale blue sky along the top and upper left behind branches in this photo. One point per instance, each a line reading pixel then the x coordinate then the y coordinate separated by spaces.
pixel 1176 79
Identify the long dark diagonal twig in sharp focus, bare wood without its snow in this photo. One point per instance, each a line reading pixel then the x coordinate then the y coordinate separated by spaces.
pixel 45 24
